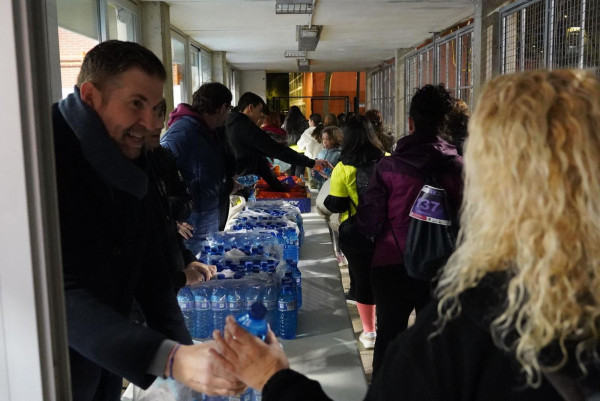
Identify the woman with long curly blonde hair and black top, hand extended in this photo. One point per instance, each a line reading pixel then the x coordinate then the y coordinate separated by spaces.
pixel 518 309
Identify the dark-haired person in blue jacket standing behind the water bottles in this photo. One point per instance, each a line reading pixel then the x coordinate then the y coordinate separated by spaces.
pixel 197 139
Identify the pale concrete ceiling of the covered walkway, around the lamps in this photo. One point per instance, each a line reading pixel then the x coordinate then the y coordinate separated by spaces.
pixel 357 34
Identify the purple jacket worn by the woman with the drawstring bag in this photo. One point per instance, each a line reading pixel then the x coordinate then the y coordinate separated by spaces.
pixel 395 184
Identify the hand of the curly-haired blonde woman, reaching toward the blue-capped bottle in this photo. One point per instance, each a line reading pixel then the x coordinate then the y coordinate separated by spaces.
pixel 247 357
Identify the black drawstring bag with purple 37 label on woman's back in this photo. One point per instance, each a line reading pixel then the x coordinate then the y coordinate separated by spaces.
pixel 432 233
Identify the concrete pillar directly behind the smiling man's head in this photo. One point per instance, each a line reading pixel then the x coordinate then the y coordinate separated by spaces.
pixel 156 36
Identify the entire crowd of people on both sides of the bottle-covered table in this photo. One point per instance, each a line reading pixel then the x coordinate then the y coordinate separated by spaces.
pixel 513 314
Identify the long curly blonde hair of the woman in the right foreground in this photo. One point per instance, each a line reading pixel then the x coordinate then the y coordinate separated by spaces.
pixel 532 209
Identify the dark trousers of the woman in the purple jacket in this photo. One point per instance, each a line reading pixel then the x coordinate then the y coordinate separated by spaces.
pixel 396 295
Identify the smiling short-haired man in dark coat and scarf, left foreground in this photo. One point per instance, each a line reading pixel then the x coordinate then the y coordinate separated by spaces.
pixel 109 242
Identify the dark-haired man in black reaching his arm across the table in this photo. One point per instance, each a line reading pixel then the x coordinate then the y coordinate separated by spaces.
pixel 251 145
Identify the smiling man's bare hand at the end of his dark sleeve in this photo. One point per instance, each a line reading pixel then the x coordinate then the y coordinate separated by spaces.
pixel 202 370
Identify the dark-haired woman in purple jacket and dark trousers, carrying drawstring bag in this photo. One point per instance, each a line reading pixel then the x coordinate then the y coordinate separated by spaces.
pixel 383 213
